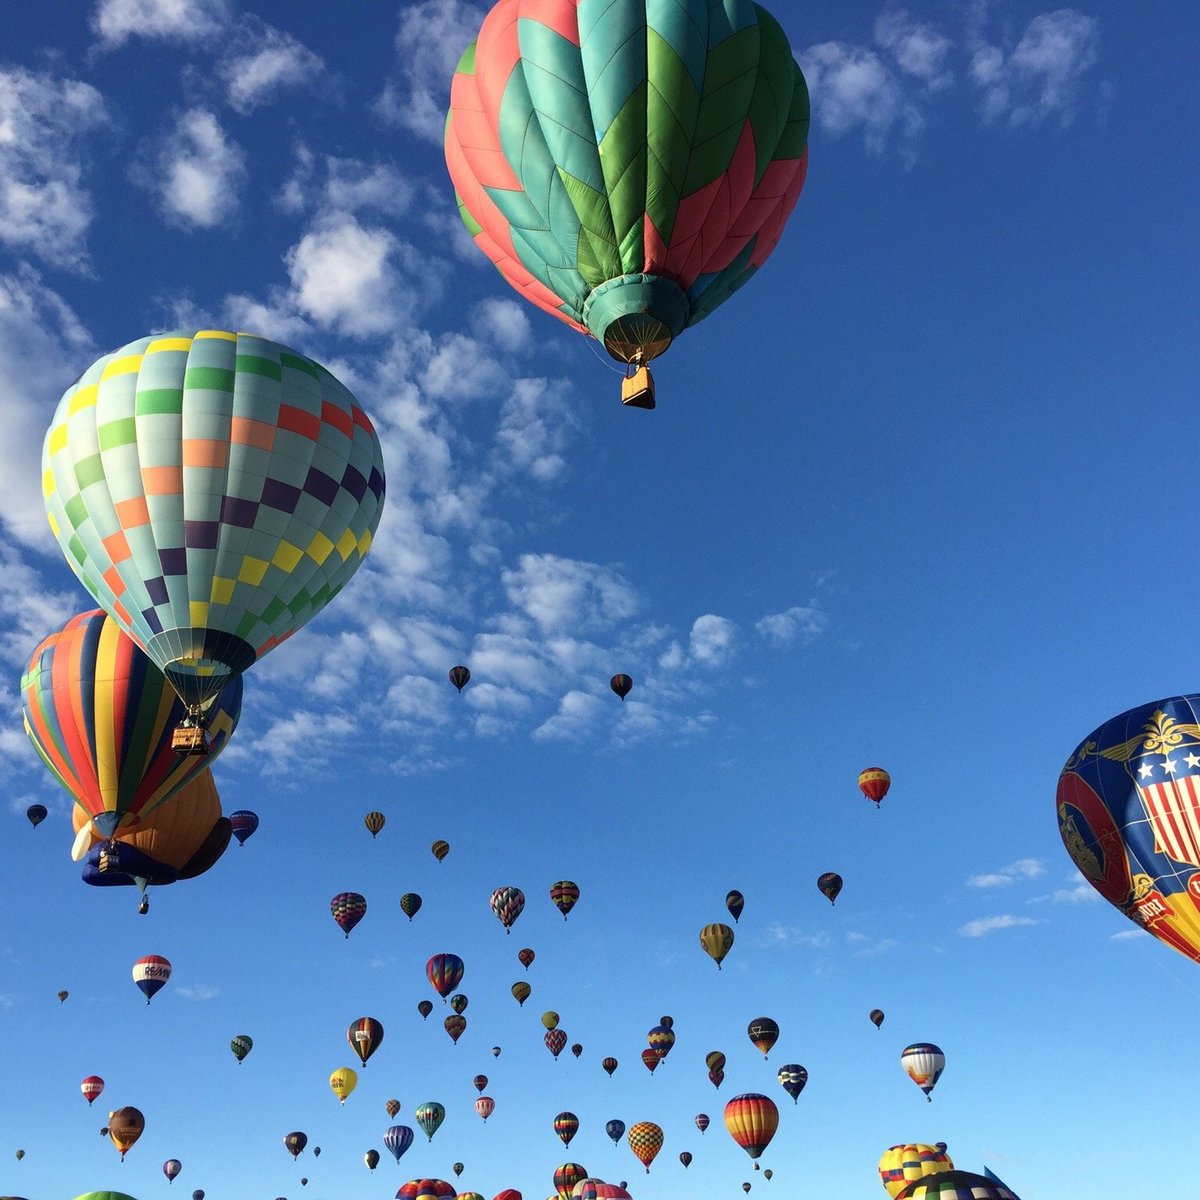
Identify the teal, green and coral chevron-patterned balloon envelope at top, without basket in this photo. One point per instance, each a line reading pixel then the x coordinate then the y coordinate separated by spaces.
pixel 628 167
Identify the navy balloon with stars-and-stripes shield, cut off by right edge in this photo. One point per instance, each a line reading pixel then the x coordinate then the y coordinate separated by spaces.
pixel 1130 817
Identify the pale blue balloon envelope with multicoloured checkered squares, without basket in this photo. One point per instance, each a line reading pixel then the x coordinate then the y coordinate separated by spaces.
pixel 213 491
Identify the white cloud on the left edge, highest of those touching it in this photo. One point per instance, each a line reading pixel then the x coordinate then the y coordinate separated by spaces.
pixel 45 209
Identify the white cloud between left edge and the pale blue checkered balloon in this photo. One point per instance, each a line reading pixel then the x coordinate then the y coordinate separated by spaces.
pixel 43 349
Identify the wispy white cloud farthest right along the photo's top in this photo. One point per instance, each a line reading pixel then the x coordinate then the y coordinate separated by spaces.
pixel 1041 81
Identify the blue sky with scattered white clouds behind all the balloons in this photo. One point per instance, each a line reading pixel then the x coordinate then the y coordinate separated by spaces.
pixel 915 497
